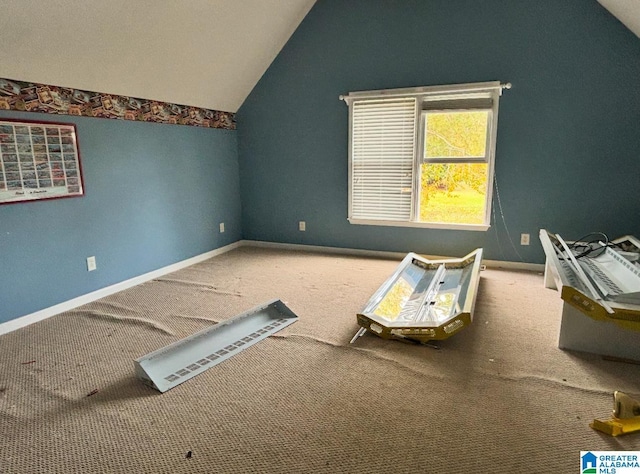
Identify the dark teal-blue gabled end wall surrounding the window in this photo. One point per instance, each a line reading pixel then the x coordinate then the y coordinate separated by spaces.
pixel 568 151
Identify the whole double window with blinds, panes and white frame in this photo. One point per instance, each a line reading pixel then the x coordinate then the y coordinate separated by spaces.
pixel 423 157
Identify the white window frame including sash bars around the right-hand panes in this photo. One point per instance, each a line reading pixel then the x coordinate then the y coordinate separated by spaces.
pixel 457 93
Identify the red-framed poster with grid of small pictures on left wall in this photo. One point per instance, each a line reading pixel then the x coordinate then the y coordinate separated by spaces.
pixel 38 160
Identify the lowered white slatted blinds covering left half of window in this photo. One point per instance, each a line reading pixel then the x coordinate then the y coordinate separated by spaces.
pixel 383 143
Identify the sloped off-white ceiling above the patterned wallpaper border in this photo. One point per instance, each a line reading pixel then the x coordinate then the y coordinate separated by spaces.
pixel 205 53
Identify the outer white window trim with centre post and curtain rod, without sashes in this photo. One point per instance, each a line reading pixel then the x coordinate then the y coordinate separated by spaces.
pixel 494 88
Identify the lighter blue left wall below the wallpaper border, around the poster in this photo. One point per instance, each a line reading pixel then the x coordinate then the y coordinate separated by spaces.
pixel 154 195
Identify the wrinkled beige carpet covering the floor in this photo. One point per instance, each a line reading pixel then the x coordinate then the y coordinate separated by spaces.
pixel 497 397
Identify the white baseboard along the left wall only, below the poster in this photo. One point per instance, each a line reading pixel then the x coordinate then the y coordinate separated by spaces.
pixel 109 290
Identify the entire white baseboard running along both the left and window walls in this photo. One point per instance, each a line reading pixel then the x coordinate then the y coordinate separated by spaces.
pixel 103 292
